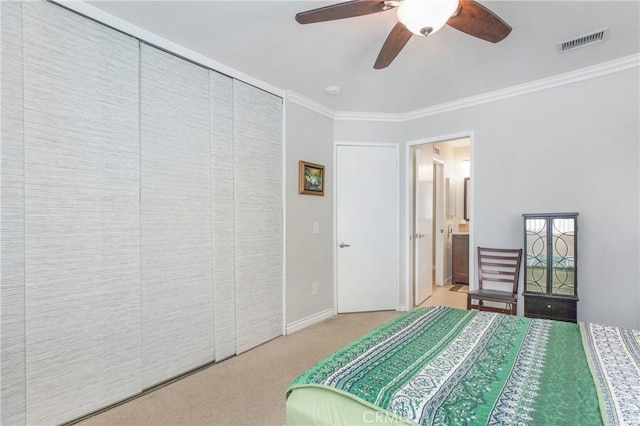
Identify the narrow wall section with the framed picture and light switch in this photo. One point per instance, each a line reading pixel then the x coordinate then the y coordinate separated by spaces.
pixel 309 137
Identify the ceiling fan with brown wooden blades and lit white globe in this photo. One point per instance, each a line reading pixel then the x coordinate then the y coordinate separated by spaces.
pixel 419 17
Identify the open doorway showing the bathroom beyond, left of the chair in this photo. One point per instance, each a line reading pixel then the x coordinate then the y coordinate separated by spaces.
pixel 439 172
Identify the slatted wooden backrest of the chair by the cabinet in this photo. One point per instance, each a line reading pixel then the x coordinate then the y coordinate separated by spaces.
pixel 500 266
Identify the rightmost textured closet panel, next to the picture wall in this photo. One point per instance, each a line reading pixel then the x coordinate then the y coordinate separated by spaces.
pixel 258 215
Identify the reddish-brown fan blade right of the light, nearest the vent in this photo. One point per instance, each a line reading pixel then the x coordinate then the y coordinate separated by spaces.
pixel 476 20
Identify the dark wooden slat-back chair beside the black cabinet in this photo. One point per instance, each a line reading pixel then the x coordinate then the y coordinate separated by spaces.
pixel 500 268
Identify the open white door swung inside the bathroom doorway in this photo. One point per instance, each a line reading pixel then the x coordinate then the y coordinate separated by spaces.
pixel 423 224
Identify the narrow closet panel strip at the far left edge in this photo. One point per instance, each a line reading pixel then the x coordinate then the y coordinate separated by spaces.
pixel 12 355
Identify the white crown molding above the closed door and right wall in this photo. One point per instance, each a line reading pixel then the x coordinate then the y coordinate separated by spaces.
pixel 594 71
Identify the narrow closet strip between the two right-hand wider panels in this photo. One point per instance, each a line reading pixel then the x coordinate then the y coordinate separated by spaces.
pixel 222 214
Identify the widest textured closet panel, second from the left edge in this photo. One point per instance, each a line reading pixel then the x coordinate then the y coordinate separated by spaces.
pixel 82 247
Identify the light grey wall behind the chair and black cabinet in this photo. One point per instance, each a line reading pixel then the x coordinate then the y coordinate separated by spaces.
pixel 570 148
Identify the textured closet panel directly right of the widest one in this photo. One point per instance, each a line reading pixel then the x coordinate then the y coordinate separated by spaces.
pixel 177 288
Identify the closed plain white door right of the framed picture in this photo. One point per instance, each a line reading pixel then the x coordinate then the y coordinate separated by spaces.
pixel 367 228
